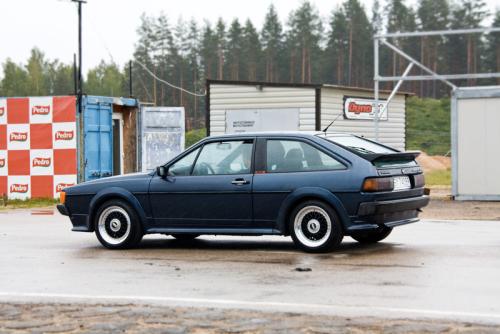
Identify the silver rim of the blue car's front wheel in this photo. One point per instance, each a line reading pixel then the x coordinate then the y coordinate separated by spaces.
pixel 114 225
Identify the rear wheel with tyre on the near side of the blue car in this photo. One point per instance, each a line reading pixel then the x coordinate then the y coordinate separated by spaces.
pixel 315 227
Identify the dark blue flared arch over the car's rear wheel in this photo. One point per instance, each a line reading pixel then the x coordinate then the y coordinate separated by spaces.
pixel 305 194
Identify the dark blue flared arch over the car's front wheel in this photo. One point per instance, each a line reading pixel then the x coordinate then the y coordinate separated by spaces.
pixel 114 193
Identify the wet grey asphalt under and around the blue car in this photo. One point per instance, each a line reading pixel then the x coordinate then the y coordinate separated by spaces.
pixel 432 269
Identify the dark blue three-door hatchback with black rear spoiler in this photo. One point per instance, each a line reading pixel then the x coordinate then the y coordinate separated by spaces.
pixel 315 187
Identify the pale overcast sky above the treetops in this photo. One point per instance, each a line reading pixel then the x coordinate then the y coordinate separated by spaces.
pixel 110 25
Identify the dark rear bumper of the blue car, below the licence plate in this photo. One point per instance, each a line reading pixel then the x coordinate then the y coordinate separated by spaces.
pixel 390 213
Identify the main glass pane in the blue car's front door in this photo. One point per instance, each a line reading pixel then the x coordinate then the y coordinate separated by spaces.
pixel 225 158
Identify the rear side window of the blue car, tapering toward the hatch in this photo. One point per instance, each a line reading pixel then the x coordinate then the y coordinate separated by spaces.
pixel 297 156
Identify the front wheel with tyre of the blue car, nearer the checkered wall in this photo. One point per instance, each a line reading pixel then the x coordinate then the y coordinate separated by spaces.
pixel 117 225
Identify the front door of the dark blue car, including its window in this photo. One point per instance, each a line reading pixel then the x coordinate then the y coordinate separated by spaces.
pixel 210 187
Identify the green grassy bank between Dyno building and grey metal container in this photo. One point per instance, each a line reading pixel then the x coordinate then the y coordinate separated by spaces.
pixel 428 125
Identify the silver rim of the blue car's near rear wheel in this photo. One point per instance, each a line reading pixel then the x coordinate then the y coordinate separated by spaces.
pixel 312 226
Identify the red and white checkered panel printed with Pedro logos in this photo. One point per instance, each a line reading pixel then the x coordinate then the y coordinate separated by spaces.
pixel 37 146
